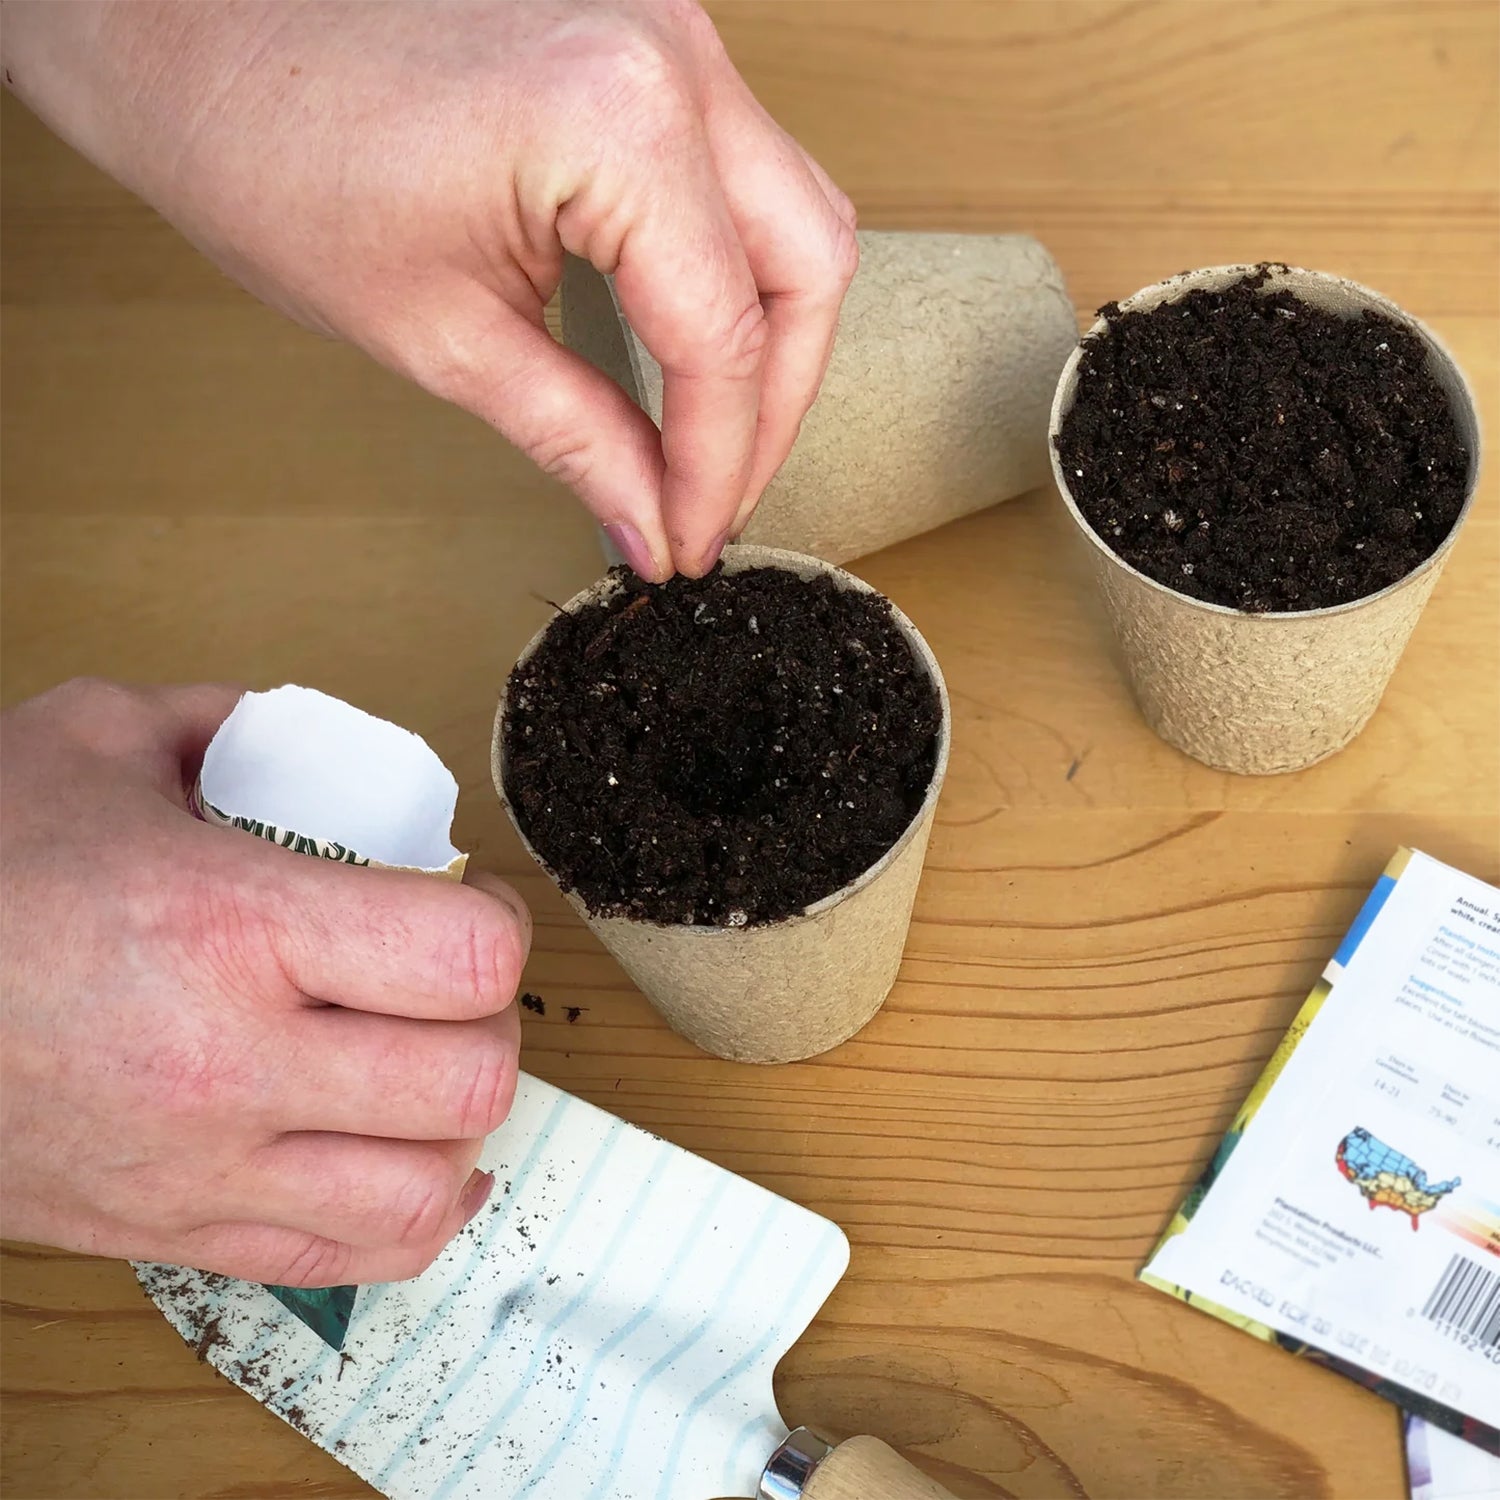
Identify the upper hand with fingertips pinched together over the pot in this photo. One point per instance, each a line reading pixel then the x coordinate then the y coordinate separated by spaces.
pixel 407 176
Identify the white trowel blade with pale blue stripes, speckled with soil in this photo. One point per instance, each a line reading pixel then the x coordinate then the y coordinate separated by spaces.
pixel 605 1330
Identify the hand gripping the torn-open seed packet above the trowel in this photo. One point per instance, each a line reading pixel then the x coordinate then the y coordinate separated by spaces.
pixel 220 1054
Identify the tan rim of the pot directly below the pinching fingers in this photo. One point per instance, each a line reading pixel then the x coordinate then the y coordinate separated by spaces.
pixel 746 557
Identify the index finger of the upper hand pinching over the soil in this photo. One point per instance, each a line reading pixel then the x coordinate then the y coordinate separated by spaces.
pixel 688 290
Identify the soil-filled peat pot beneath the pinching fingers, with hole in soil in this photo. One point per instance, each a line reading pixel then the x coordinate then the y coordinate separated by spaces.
pixel 733 781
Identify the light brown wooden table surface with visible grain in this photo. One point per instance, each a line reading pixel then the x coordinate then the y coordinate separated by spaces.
pixel 1109 940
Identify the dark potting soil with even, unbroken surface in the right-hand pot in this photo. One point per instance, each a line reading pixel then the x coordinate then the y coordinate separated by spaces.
pixel 1256 452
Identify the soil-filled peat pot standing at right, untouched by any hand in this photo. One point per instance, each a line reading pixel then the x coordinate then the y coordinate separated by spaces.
pixel 1271 467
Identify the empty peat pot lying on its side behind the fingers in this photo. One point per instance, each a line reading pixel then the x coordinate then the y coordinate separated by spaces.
pixel 934 404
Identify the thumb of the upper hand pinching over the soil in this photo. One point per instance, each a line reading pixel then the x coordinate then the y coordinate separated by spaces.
pixel 569 419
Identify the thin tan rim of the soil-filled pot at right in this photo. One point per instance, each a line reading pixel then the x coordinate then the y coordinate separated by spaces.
pixel 1457 389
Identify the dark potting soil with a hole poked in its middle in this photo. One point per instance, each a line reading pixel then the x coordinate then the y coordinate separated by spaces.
pixel 724 751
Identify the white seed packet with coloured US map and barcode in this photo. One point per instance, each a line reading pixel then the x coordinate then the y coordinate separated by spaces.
pixel 1352 1214
